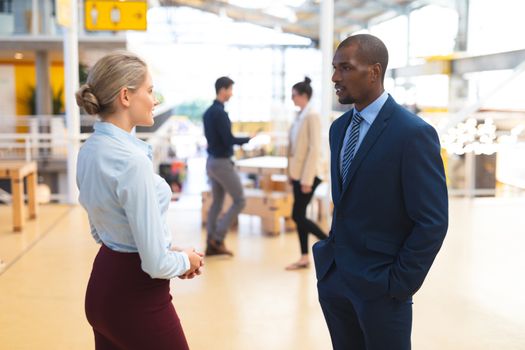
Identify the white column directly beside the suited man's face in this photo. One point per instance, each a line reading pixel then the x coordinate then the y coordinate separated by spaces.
pixel 326 38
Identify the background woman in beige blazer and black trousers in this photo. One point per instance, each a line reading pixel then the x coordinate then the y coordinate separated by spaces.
pixel 303 167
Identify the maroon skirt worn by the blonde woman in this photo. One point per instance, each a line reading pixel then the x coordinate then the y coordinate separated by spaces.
pixel 127 308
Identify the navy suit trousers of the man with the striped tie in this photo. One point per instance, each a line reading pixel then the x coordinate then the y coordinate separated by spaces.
pixel 378 324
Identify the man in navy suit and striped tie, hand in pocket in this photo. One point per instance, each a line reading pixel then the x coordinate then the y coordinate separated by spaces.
pixel 390 207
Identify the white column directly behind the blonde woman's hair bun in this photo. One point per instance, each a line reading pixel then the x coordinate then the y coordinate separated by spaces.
pixel 72 112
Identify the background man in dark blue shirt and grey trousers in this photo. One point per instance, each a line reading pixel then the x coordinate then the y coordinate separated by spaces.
pixel 220 168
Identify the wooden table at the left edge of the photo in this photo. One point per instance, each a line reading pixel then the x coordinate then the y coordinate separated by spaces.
pixel 16 171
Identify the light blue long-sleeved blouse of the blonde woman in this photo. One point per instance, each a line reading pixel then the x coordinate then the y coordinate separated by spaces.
pixel 126 201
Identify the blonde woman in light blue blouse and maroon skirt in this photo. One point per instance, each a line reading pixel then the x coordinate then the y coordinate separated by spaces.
pixel 128 301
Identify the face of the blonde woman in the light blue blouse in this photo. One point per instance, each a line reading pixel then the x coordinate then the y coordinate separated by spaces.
pixel 142 103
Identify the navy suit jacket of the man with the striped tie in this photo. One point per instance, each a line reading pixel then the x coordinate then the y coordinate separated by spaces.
pixel 390 220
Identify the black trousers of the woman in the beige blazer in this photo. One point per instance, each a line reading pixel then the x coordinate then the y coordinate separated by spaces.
pixel 305 225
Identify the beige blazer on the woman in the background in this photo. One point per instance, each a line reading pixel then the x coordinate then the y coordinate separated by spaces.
pixel 304 153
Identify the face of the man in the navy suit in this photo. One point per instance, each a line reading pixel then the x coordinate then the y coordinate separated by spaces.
pixel 351 76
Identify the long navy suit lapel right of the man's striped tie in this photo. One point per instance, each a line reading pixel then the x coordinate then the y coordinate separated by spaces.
pixel 370 139
